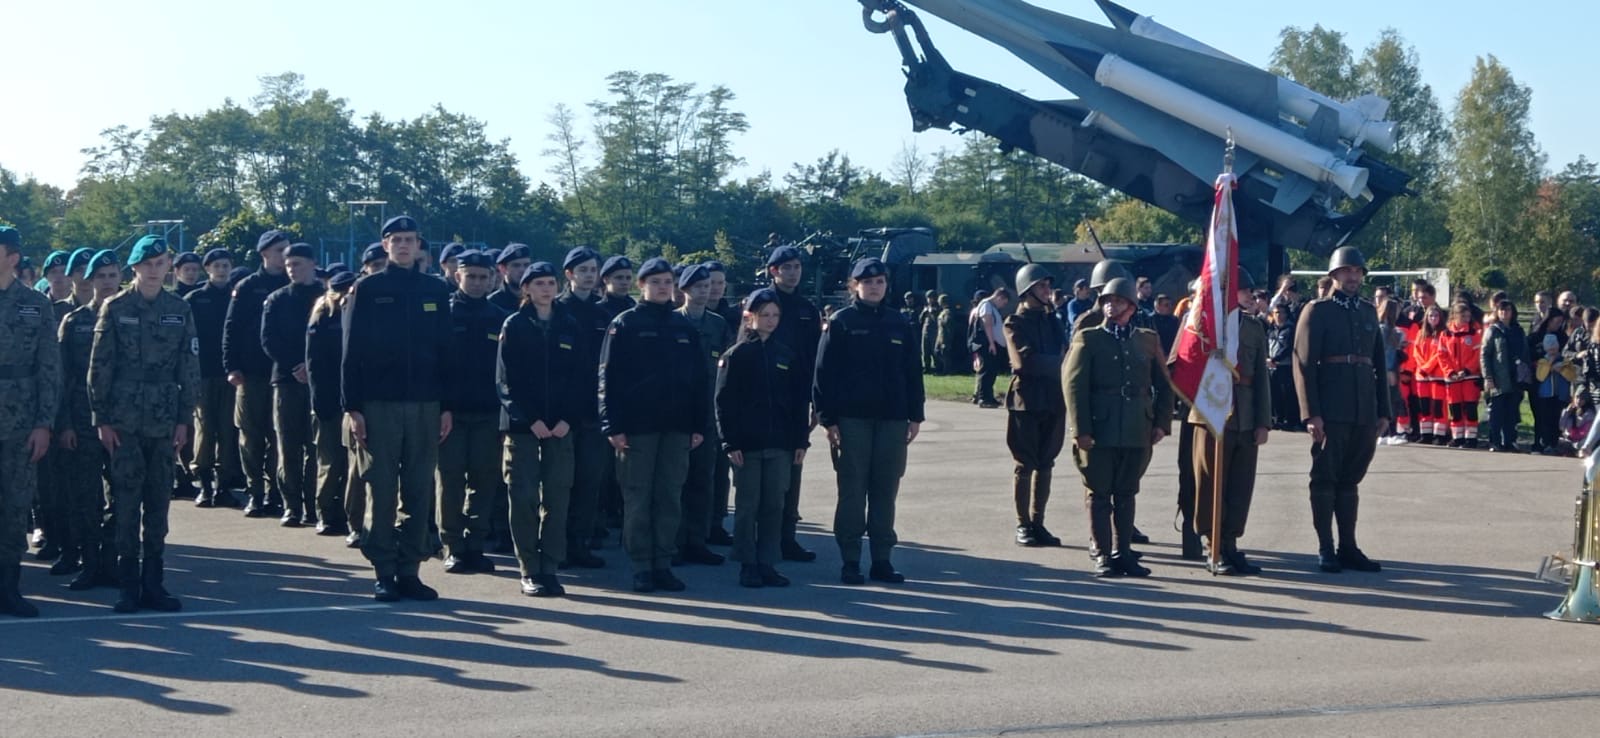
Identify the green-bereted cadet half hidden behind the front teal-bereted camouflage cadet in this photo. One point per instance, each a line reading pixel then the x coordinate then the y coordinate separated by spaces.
pixel 84 459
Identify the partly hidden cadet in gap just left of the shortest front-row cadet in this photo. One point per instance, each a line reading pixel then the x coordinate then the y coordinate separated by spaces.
pixel 700 487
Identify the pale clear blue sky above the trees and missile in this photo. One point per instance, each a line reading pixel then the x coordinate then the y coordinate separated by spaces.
pixel 806 73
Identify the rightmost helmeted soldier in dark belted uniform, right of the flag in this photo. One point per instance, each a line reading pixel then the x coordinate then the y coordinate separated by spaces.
pixel 1345 399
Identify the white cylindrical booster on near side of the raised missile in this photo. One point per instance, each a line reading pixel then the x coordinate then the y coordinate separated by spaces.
pixel 1217 119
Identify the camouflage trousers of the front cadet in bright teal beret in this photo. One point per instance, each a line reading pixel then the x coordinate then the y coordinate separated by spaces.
pixel 142 492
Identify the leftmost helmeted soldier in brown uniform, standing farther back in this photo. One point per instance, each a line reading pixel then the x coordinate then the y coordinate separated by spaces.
pixel 1036 411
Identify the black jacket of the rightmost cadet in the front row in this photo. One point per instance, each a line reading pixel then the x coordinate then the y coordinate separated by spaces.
pixel 868 366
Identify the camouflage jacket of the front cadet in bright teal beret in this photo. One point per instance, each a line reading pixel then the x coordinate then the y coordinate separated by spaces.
pixel 145 364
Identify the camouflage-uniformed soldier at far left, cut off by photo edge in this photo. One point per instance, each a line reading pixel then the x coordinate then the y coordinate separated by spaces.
pixel 30 396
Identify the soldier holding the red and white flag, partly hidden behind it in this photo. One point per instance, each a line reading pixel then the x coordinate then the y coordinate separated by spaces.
pixel 1242 438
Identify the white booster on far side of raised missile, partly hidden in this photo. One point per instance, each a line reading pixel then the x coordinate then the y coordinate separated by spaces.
pixel 1361 121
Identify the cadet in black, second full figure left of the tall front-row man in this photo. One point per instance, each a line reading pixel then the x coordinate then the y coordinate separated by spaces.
pixel 284 321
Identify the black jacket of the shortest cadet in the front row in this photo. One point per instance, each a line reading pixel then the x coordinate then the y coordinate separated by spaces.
pixel 758 399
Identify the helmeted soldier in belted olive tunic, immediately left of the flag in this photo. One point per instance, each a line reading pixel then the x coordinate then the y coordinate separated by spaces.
pixel 1119 406
